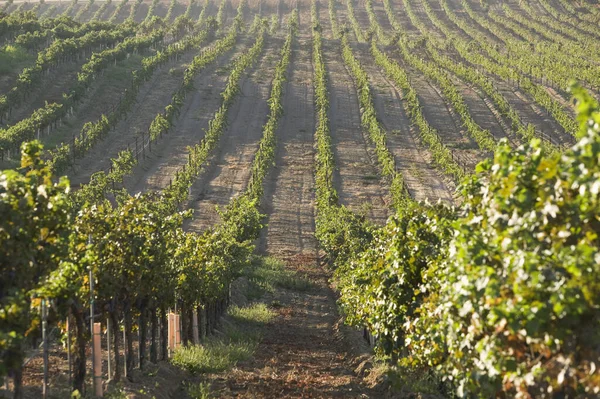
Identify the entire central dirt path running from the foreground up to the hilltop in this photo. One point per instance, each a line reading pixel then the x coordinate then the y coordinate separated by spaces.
pixel 302 353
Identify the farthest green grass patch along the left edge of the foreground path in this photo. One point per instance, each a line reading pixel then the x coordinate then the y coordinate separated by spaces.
pixel 266 274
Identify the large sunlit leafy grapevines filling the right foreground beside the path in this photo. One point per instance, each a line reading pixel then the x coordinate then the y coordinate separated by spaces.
pixel 502 297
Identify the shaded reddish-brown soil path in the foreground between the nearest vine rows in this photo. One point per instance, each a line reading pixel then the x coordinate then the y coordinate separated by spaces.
pixel 303 353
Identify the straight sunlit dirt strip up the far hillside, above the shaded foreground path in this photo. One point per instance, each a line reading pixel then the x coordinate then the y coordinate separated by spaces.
pixel 289 190
